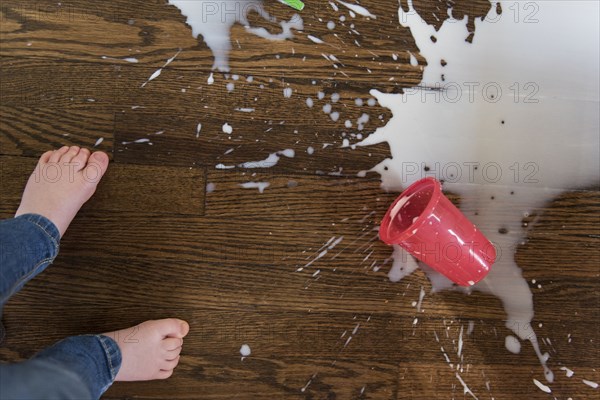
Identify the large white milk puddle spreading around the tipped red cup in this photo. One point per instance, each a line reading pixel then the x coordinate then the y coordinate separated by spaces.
pixel 508 121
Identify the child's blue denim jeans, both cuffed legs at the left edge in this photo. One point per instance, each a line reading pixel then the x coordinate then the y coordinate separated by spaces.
pixel 78 367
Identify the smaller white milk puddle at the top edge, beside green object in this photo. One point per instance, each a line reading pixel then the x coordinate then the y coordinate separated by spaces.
pixel 213 21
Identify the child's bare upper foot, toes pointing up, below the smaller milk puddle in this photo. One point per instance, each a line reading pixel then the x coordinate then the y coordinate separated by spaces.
pixel 62 181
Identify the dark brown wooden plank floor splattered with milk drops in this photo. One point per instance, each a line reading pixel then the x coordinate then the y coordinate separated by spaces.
pixel 154 243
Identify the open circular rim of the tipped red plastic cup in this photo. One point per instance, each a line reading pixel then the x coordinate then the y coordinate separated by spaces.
pixel 427 211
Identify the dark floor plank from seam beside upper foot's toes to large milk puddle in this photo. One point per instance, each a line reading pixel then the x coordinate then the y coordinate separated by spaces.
pixel 251 140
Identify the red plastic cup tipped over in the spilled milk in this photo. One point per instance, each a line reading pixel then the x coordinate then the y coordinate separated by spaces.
pixel 425 223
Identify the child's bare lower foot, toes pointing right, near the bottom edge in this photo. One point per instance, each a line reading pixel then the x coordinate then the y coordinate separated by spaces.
pixel 151 349
